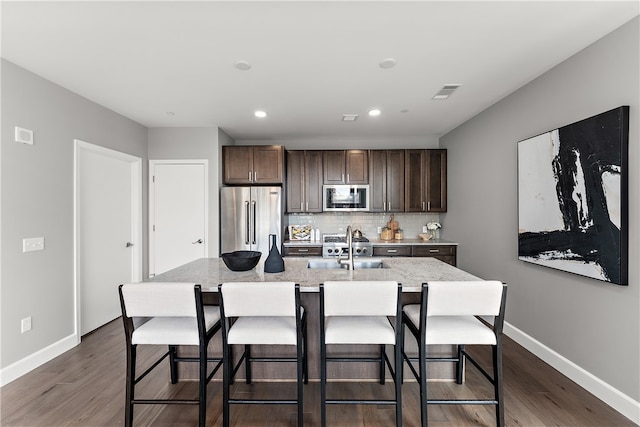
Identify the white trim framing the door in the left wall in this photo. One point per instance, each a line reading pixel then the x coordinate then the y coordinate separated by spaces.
pixel 136 218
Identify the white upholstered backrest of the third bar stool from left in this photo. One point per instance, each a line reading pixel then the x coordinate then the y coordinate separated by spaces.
pixel 360 298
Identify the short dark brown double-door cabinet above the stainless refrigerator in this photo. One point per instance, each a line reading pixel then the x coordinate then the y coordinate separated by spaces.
pixel 258 164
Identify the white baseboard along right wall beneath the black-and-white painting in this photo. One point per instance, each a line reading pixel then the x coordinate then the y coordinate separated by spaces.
pixel 594 385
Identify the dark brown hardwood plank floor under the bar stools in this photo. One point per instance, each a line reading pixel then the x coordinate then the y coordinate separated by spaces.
pixel 85 387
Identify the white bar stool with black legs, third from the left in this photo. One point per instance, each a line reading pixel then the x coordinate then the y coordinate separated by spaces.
pixel 357 312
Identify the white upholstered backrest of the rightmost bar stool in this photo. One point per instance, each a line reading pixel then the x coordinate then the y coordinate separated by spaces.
pixel 479 298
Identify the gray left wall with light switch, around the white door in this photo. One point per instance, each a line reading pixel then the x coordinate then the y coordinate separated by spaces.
pixel 37 200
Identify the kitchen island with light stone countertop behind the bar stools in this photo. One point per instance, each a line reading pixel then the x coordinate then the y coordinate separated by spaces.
pixel 411 272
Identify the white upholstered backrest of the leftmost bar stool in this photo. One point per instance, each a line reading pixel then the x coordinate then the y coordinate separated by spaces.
pixel 159 299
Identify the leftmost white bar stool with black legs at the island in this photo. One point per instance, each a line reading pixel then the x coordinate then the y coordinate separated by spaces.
pixel 169 314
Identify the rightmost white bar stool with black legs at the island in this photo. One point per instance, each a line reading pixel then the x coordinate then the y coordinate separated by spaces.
pixel 448 314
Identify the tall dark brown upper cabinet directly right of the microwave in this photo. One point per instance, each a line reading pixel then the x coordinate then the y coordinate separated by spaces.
pixel 386 182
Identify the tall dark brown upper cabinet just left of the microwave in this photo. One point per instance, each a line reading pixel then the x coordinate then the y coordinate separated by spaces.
pixel 304 181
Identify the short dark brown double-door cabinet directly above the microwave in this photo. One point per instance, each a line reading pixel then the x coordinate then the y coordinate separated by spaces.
pixel 346 167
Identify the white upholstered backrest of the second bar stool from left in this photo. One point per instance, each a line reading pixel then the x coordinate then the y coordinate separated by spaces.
pixel 259 299
